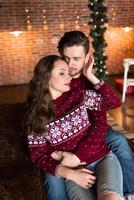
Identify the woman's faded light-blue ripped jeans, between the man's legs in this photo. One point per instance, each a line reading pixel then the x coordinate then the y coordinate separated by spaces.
pixel 109 180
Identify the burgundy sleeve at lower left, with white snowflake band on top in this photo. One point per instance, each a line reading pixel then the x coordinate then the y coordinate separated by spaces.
pixel 40 154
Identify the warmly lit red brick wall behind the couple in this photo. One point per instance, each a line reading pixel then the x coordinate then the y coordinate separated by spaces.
pixel 43 22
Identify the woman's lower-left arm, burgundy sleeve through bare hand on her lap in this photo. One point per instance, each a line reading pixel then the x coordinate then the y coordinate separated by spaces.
pixel 40 155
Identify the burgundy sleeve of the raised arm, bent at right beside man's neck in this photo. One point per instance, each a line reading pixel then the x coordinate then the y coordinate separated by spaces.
pixel 111 99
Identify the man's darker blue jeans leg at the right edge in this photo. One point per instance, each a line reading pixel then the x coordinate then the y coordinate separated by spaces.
pixel 119 145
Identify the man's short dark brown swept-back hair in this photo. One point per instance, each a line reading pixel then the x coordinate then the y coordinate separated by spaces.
pixel 72 38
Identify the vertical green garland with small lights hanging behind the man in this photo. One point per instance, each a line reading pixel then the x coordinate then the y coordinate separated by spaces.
pixel 98 20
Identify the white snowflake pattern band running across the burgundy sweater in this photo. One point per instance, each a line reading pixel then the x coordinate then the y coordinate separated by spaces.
pixel 71 124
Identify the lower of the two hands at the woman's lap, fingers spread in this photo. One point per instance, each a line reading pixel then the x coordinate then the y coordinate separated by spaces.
pixel 82 177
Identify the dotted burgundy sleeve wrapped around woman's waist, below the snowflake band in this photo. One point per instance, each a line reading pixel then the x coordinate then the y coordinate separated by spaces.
pixel 94 140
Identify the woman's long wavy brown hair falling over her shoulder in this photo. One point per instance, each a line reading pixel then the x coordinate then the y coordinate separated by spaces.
pixel 39 101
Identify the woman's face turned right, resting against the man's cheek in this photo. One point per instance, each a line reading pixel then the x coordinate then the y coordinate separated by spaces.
pixel 60 79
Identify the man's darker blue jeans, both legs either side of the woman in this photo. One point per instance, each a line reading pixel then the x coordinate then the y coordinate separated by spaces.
pixel 55 186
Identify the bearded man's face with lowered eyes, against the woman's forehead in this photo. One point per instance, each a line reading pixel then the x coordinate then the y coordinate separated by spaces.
pixel 76 59
